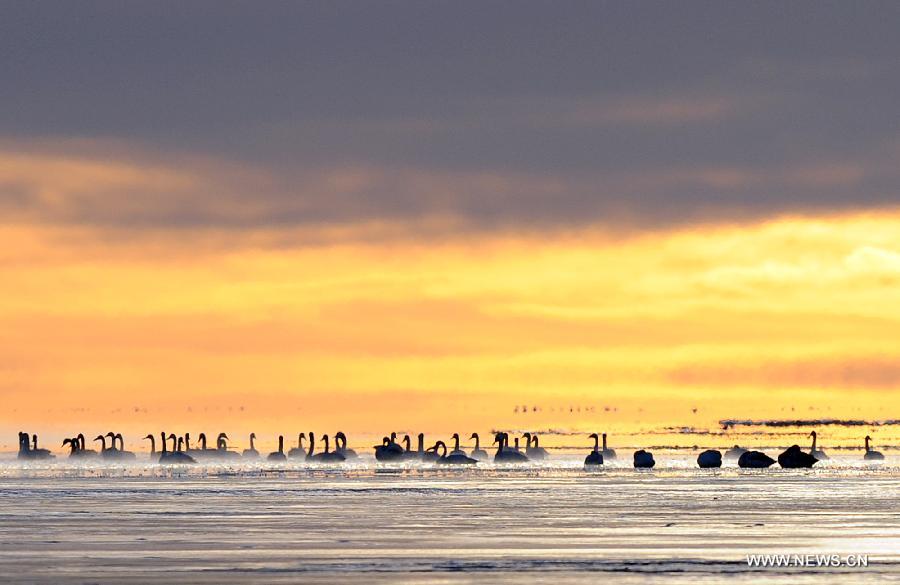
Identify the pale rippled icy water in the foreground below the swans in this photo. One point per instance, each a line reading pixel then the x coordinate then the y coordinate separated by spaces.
pixel 551 524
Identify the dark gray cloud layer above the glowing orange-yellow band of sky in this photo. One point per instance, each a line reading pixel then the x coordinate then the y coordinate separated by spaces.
pixel 500 113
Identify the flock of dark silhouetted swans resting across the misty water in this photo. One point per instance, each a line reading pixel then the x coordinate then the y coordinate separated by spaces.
pixel 112 447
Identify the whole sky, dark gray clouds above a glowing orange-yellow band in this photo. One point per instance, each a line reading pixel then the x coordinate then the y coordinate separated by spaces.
pixel 447 215
